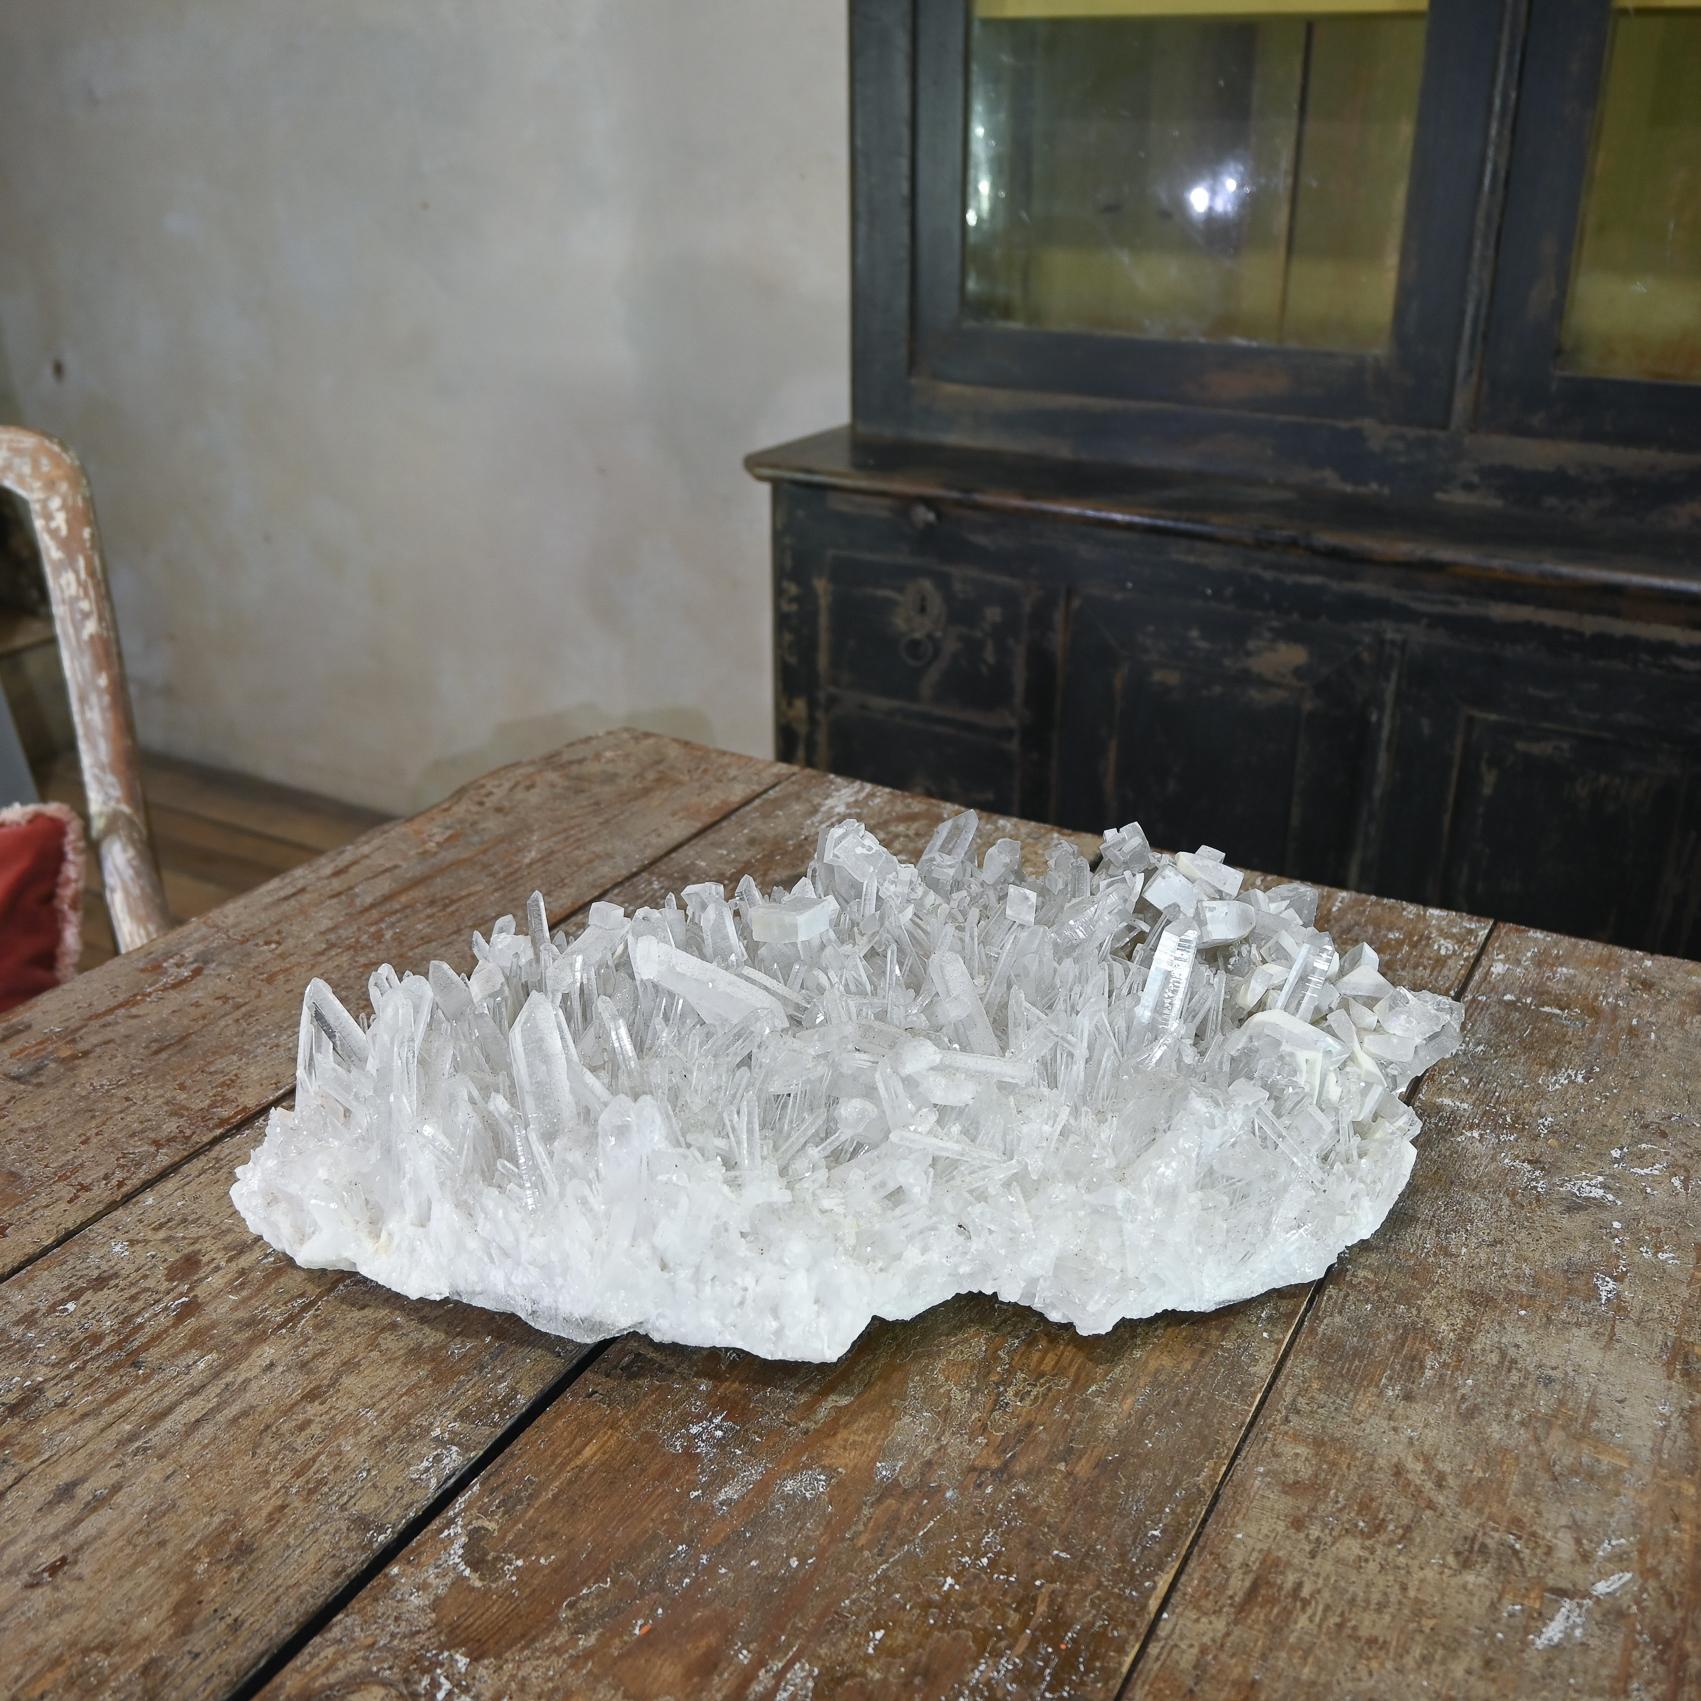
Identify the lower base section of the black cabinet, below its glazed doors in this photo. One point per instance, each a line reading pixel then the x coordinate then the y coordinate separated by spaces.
pixel 1472 724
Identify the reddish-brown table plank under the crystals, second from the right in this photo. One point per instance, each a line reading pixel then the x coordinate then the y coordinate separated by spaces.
pixel 974 1503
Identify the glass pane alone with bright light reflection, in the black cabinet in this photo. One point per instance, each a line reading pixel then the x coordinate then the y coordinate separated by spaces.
pixel 1142 168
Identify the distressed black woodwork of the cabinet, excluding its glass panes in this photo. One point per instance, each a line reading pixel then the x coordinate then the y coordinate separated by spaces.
pixel 1425 623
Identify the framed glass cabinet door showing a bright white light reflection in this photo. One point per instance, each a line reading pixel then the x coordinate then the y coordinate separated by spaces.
pixel 1251 205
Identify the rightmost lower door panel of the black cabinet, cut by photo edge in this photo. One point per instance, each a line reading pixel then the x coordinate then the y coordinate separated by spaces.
pixel 1549 792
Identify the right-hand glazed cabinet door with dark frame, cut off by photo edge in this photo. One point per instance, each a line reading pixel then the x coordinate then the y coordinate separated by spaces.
pixel 1595 327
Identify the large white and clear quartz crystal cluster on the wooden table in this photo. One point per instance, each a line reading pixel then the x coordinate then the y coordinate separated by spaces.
pixel 763 1120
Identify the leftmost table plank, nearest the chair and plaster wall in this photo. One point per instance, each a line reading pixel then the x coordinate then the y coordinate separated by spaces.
pixel 113 1079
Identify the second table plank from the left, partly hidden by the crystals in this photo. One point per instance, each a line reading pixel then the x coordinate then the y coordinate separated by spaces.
pixel 176 1389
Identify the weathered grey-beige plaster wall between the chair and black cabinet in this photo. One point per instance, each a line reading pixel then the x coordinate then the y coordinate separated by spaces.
pixel 414 350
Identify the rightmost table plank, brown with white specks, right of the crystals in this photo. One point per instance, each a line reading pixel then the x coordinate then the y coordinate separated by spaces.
pixel 1481 1465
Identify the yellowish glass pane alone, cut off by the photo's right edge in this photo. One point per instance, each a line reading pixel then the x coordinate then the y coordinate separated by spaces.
pixel 1636 300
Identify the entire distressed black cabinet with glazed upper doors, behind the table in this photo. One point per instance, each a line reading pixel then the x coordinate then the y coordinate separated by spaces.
pixel 1282 426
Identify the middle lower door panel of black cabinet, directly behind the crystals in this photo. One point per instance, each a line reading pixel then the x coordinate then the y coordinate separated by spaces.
pixel 1224 727
